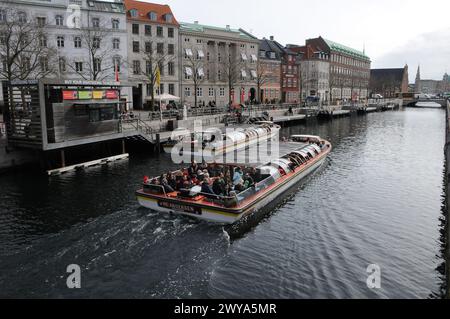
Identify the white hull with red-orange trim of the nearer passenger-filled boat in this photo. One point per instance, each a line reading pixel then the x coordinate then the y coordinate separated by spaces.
pixel 223 217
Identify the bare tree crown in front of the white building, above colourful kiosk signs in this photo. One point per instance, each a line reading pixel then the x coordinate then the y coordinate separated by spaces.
pixel 99 62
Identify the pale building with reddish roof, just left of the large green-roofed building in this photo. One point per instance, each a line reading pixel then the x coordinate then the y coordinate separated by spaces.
pixel 314 73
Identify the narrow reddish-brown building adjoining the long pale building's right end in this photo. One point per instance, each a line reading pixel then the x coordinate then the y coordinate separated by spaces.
pixel 270 69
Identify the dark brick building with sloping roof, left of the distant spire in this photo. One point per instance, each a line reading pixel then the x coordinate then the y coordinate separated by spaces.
pixel 389 82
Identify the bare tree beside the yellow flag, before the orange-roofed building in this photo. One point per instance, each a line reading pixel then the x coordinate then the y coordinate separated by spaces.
pixel 154 62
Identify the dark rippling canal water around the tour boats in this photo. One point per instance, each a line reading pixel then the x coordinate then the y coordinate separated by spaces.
pixel 377 201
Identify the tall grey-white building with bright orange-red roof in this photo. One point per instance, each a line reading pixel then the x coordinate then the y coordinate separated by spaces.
pixel 153 39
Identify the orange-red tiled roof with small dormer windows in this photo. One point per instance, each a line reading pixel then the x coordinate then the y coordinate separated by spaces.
pixel 144 8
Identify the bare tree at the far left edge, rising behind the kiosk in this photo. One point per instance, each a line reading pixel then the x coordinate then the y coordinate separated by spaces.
pixel 24 50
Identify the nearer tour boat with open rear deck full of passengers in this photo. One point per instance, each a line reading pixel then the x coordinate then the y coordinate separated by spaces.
pixel 271 181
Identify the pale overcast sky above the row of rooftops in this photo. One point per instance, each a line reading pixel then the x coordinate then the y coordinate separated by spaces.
pixel 394 32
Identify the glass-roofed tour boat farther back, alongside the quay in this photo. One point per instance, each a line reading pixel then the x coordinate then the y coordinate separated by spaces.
pixel 212 143
